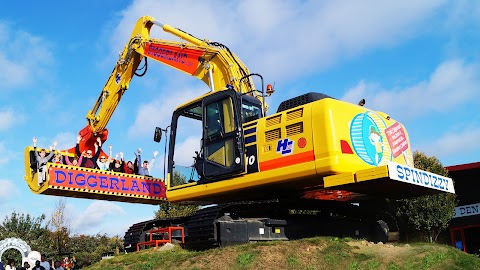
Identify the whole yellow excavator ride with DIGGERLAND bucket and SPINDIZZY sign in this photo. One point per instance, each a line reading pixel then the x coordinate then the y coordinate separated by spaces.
pixel 314 153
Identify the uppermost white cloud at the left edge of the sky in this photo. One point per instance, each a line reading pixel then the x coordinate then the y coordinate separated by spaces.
pixel 23 57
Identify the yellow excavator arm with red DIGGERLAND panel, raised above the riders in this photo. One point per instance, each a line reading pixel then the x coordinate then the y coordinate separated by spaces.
pixel 211 62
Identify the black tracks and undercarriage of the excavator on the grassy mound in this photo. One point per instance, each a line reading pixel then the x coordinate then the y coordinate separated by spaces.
pixel 274 220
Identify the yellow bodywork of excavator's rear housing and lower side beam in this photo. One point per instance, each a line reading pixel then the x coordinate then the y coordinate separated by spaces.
pixel 325 123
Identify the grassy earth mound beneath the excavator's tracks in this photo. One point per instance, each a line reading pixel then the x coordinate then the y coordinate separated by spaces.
pixel 312 253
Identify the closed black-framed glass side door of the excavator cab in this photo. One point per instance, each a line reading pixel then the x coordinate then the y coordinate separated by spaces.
pixel 223 147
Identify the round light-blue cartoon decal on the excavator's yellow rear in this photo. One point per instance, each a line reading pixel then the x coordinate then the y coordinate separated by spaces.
pixel 367 133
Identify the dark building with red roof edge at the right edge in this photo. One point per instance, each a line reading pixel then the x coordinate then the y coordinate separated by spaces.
pixel 465 225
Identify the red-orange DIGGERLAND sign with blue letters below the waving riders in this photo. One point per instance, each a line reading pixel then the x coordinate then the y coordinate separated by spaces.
pixel 71 177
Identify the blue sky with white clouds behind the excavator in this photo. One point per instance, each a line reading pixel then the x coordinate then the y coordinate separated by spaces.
pixel 417 60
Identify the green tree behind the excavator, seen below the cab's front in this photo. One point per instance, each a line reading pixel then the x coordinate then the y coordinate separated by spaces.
pixel 172 210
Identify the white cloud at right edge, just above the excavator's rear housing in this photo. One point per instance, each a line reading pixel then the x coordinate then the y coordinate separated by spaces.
pixel 452 83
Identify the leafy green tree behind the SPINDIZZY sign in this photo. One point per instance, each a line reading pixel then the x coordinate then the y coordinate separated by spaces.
pixel 429 214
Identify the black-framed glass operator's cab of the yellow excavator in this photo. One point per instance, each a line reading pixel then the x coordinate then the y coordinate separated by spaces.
pixel 216 122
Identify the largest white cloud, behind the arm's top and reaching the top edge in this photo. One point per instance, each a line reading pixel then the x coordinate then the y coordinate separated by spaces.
pixel 285 39
